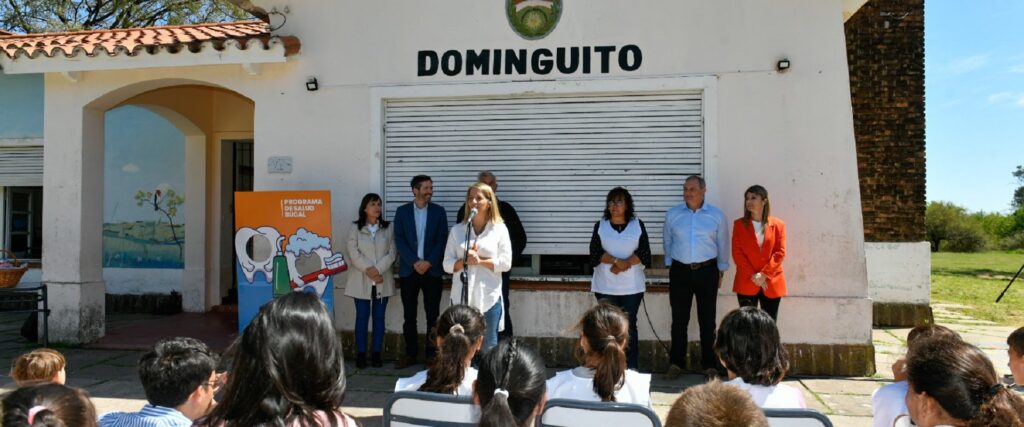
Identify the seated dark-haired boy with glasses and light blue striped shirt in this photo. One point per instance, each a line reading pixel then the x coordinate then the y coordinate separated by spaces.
pixel 180 379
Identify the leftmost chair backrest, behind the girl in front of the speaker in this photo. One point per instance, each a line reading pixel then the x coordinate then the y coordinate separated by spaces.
pixel 409 409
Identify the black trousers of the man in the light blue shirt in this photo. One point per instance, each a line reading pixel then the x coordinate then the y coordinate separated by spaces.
pixel 685 285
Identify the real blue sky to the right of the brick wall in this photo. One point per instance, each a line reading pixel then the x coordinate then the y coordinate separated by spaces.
pixel 974 69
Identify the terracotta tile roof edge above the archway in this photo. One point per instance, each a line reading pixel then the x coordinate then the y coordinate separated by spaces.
pixel 133 41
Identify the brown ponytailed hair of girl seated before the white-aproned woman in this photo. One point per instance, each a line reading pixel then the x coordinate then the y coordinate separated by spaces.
pixel 608 331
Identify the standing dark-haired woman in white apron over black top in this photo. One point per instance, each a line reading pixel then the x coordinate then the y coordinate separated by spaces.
pixel 620 251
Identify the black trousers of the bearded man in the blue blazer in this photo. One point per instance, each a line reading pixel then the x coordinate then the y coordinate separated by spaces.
pixel 411 287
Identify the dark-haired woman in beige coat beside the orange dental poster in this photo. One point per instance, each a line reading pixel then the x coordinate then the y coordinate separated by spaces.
pixel 371 253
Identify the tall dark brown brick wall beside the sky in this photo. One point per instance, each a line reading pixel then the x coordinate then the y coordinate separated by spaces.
pixel 885 44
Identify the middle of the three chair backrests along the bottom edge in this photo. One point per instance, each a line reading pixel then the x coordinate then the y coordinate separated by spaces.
pixel 567 413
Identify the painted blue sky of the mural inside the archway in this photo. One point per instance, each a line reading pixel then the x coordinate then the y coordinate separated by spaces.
pixel 143 152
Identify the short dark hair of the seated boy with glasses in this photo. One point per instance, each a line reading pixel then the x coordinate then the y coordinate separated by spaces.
pixel 174 369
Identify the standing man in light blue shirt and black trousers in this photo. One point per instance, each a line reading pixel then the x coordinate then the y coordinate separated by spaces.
pixel 697 250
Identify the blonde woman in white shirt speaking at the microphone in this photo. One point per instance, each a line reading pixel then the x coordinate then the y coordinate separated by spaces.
pixel 490 254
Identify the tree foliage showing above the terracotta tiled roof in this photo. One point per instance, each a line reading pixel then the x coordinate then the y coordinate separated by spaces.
pixel 64 16
